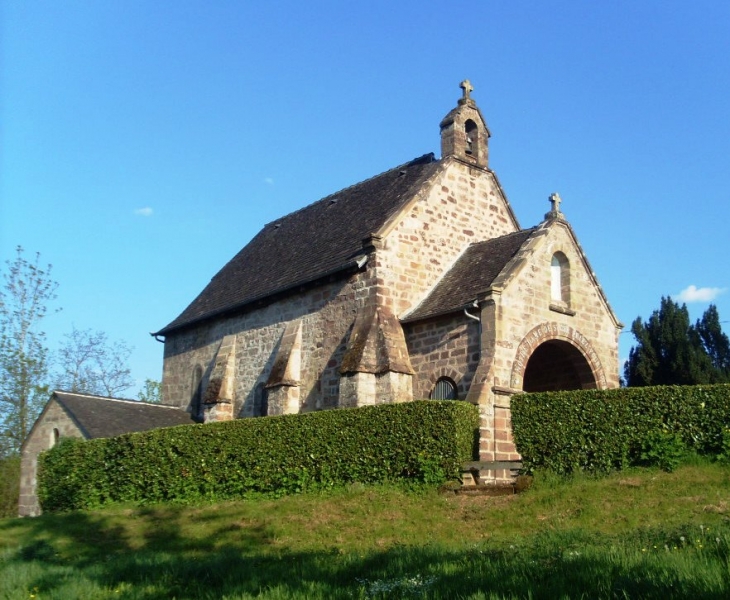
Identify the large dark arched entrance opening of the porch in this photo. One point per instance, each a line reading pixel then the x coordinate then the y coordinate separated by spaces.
pixel 558 365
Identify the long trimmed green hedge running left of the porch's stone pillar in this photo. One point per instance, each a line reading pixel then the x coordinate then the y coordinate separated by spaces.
pixel 423 440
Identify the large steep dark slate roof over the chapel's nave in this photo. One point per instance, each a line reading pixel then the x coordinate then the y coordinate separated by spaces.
pixel 319 240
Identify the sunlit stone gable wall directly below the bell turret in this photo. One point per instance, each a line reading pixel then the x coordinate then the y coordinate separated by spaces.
pixel 464 205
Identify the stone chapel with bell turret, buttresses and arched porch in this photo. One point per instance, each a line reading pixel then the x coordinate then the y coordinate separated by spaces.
pixel 417 283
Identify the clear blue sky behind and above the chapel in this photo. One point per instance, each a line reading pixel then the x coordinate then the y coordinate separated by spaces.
pixel 144 143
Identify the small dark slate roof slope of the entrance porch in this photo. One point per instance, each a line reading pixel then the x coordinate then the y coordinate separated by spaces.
pixel 472 273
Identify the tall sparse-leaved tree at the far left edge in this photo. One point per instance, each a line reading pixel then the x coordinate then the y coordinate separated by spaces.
pixel 25 296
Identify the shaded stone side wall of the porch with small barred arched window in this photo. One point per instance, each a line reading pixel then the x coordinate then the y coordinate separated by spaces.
pixel 443 347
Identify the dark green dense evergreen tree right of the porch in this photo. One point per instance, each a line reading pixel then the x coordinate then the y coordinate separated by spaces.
pixel 670 351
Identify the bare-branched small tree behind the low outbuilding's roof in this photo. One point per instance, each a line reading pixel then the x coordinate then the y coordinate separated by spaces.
pixel 92 364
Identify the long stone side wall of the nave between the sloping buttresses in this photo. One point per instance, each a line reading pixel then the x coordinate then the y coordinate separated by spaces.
pixel 327 313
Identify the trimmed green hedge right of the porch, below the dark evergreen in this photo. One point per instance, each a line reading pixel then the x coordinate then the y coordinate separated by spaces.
pixel 601 430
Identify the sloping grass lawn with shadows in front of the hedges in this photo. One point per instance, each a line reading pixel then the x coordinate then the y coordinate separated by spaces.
pixel 634 534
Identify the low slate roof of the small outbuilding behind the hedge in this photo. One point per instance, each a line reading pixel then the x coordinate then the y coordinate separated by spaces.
pixel 99 417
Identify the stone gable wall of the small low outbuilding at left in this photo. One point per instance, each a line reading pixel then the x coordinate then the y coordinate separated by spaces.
pixel 41 438
